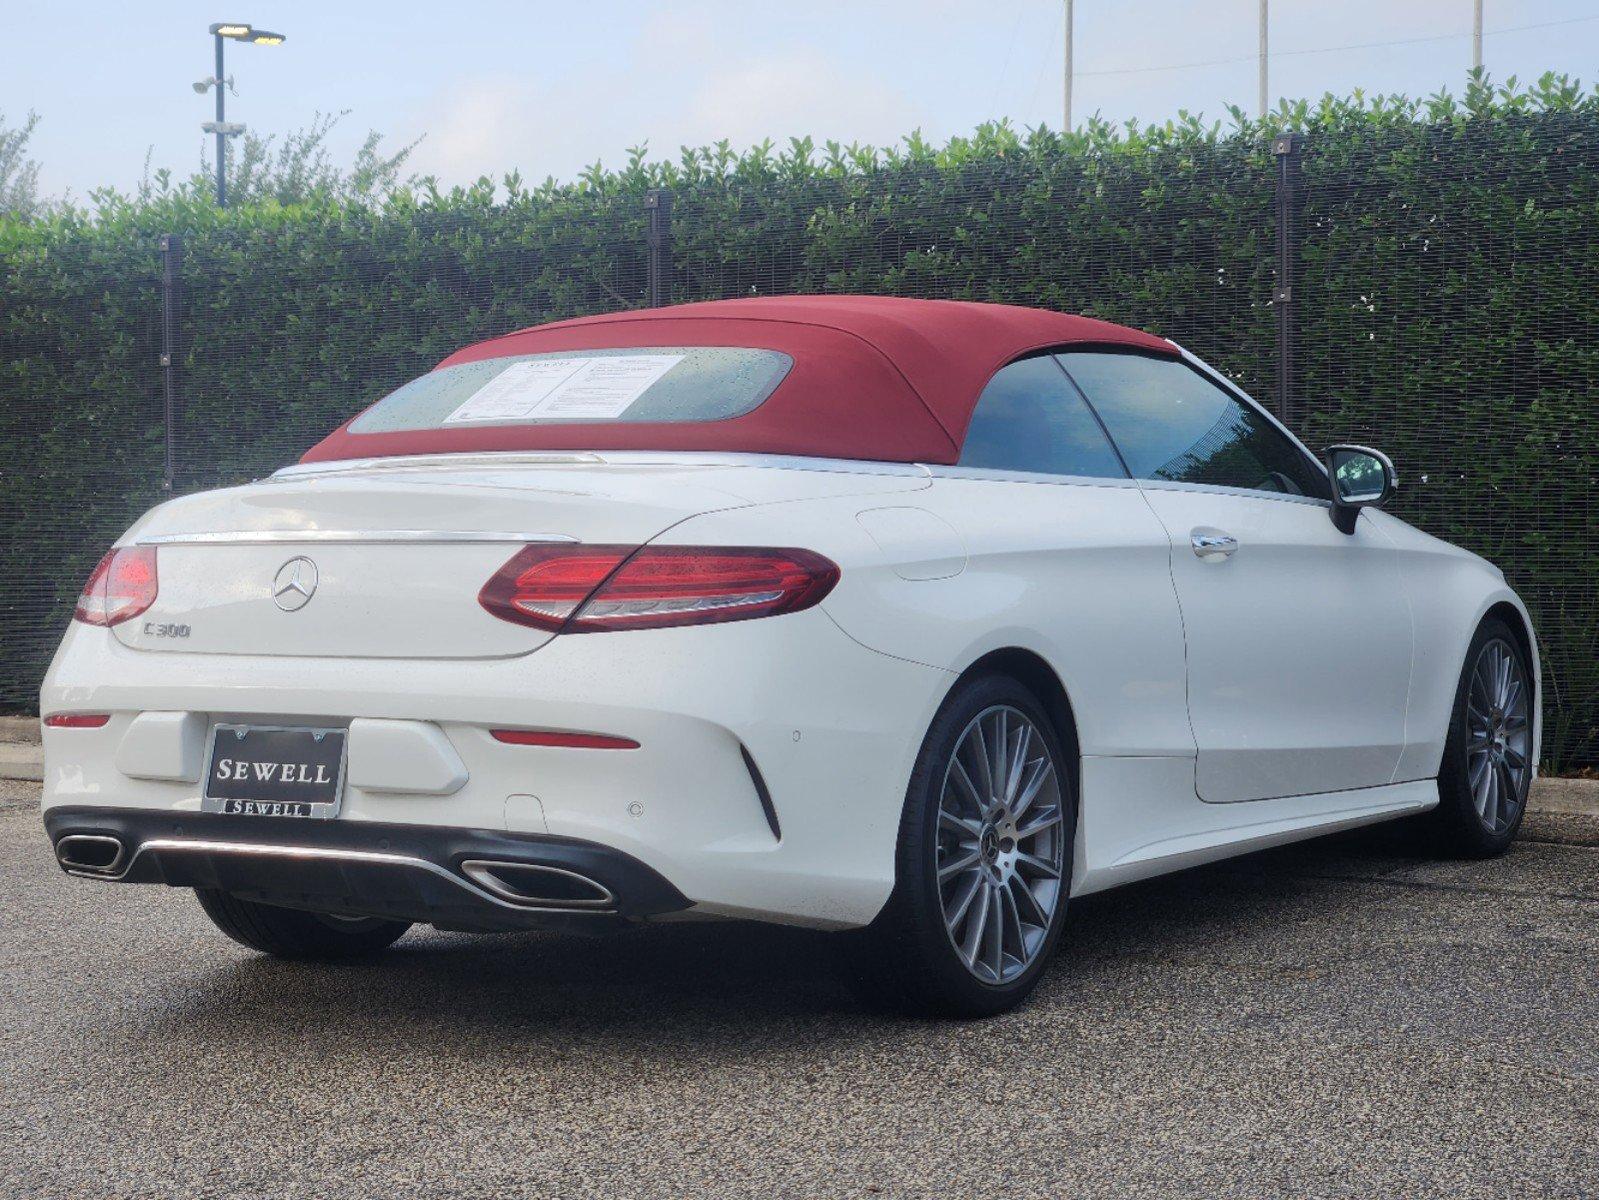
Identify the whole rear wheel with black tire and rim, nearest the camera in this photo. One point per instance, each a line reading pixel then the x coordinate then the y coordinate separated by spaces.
pixel 909 959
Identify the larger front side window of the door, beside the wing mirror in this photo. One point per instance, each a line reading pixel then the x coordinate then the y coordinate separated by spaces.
pixel 1171 423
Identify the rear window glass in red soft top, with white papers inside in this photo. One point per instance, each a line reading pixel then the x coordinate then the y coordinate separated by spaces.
pixel 653 385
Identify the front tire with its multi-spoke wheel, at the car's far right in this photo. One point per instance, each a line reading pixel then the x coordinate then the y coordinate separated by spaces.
pixel 1470 823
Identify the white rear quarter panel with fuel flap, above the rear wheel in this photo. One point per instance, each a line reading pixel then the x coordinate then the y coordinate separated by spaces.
pixel 1079 574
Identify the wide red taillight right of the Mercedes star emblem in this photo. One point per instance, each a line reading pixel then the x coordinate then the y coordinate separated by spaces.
pixel 588 590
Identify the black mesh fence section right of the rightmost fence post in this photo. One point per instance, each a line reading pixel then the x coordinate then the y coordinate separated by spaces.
pixel 1451 318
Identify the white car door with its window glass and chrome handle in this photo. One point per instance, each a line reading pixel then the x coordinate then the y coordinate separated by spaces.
pixel 1299 636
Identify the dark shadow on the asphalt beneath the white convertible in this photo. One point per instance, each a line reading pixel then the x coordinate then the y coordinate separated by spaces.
pixel 692 983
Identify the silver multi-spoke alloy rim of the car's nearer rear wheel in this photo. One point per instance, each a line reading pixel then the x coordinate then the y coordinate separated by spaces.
pixel 1002 844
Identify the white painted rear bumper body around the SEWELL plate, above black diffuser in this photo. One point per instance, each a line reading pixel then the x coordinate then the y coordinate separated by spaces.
pixel 831 727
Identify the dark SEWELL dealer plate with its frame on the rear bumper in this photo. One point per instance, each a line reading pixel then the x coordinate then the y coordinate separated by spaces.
pixel 268 798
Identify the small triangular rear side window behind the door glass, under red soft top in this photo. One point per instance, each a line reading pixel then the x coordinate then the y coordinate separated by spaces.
pixel 1032 418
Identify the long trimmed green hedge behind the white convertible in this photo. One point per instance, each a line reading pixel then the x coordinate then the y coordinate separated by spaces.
pixel 1445 310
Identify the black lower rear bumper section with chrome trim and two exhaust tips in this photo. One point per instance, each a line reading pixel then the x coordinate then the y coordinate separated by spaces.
pixel 407 873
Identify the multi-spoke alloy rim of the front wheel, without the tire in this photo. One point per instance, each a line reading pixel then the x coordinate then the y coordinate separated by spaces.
pixel 1499 737
